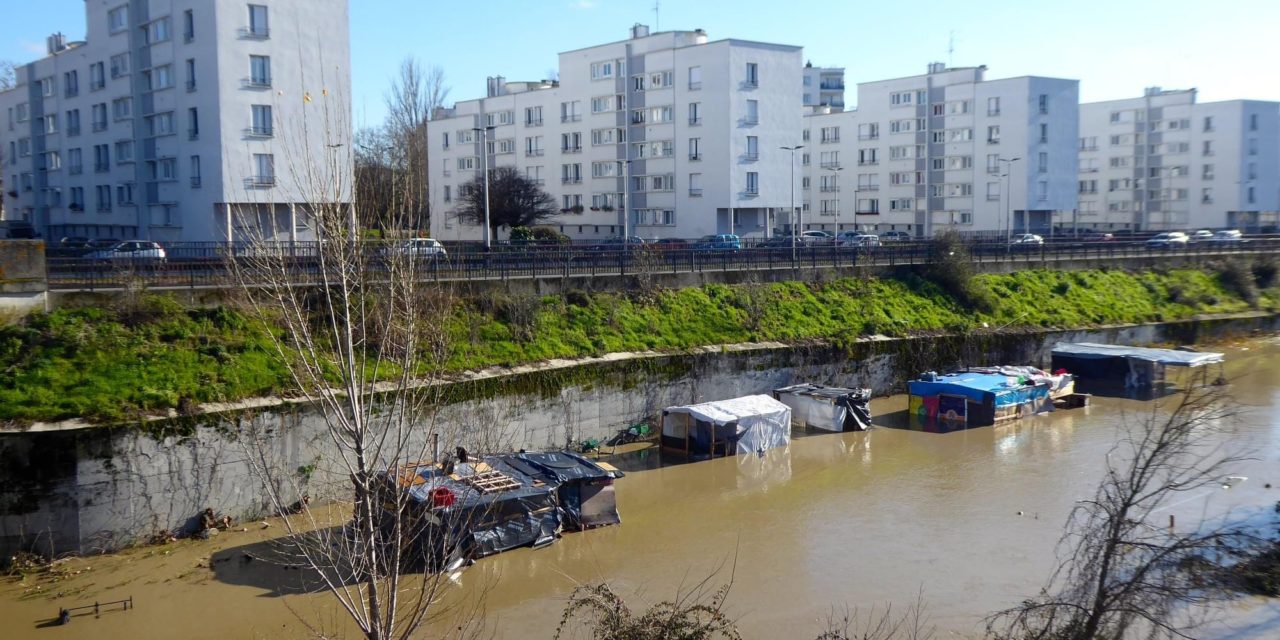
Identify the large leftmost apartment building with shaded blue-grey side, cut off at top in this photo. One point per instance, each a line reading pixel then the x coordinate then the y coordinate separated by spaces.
pixel 182 121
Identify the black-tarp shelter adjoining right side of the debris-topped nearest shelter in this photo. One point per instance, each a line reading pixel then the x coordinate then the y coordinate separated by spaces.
pixel 583 487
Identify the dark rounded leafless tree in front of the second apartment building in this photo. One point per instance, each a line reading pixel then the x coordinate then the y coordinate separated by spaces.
pixel 514 200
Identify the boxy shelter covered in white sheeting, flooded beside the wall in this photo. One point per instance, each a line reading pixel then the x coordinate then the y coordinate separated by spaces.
pixel 724 428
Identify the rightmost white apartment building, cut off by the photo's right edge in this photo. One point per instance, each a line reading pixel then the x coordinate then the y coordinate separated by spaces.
pixel 1167 162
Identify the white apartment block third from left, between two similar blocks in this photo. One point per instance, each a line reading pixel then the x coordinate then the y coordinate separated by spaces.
pixel 949 149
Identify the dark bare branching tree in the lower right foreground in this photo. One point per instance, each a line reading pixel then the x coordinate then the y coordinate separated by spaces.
pixel 1122 570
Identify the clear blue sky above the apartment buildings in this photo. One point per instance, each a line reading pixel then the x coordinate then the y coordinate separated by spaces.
pixel 1227 49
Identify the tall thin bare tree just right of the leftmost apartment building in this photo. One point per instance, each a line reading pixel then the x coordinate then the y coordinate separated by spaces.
pixel 413 98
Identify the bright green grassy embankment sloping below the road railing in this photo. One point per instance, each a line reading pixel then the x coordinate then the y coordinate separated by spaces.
pixel 108 365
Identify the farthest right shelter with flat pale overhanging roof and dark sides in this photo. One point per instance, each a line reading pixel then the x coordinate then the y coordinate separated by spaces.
pixel 1101 368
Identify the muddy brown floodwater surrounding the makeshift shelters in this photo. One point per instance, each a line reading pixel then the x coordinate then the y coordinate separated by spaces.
pixel 970 520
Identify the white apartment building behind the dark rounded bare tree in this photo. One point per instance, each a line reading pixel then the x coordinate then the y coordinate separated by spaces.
pixel 680 131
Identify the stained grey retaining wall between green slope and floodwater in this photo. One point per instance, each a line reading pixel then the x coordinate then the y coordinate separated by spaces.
pixel 98 490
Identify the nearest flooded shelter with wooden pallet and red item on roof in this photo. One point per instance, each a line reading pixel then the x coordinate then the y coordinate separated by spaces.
pixel 477 510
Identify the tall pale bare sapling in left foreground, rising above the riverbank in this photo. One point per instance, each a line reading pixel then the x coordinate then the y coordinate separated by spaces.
pixel 362 336
